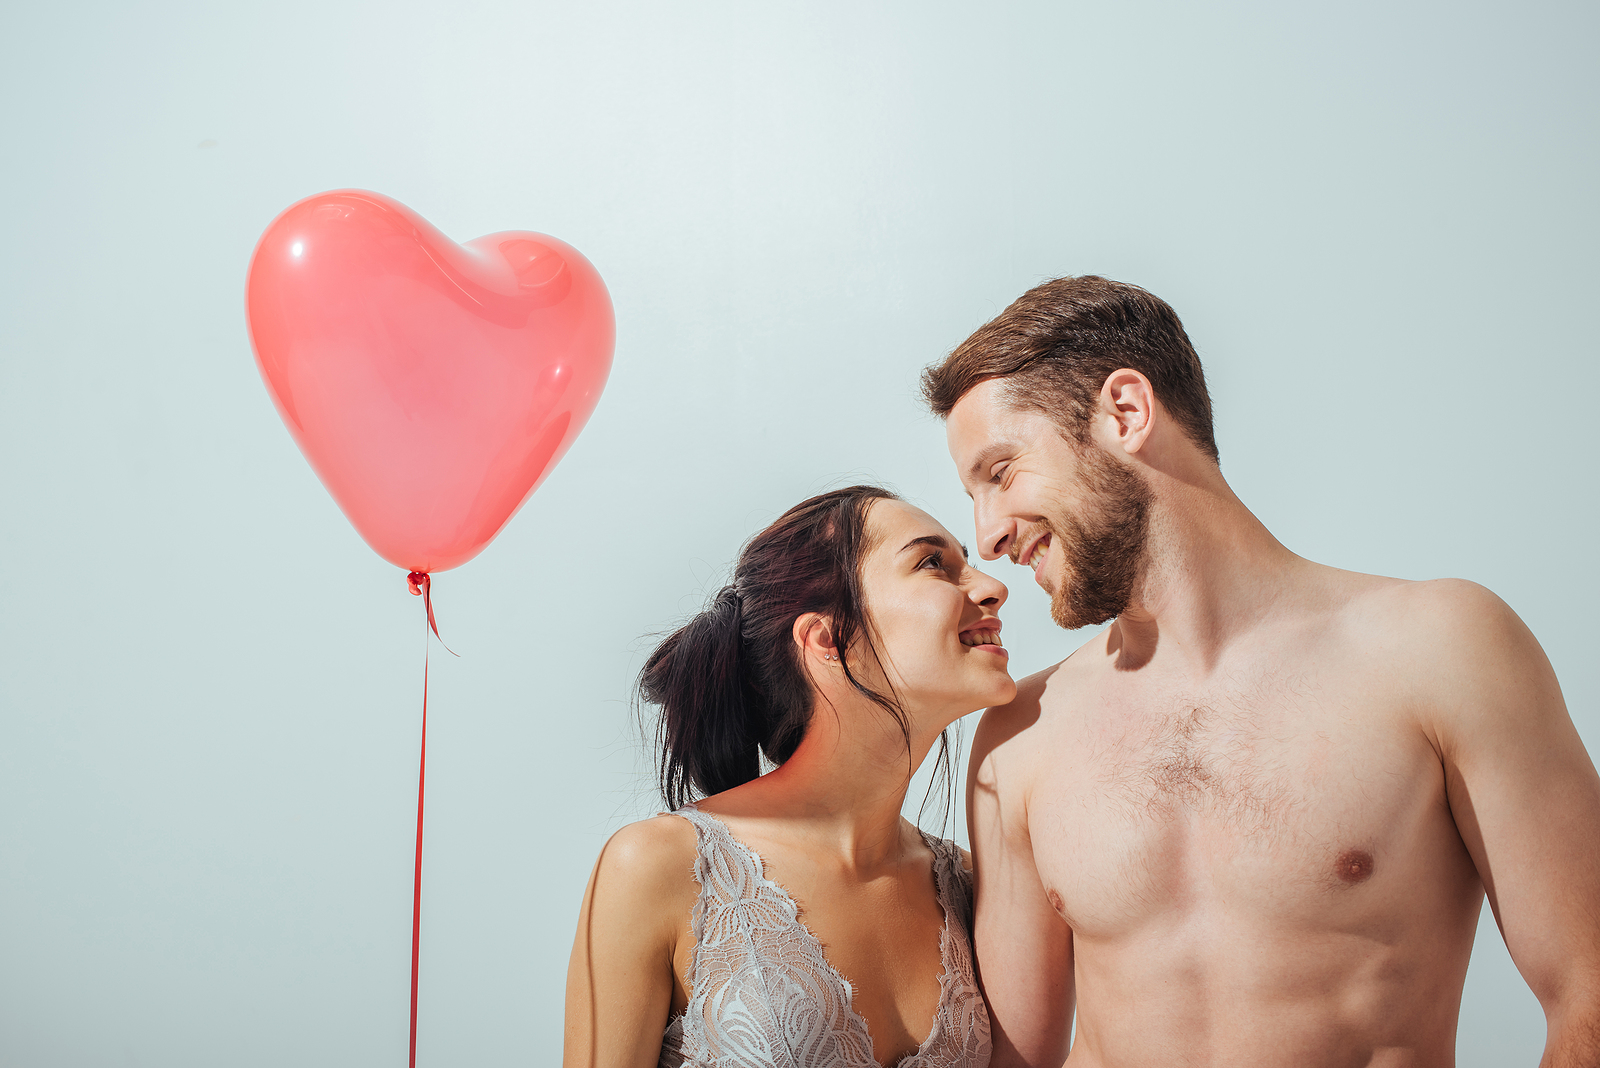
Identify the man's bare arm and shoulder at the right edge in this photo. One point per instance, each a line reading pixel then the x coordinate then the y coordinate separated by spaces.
pixel 1527 803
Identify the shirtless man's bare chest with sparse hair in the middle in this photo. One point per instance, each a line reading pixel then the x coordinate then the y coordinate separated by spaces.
pixel 1278 797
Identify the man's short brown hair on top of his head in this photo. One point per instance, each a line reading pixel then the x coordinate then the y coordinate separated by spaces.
pixel 1060 341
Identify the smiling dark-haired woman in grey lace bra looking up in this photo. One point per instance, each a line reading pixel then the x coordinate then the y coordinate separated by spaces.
pixel 722 934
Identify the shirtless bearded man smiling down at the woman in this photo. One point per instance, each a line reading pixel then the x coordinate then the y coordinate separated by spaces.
pixel 1254 821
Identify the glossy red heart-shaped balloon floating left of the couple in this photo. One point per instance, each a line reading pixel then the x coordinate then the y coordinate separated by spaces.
pixel 431 386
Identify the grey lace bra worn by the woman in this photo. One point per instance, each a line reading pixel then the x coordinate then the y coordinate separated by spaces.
pixel 764 997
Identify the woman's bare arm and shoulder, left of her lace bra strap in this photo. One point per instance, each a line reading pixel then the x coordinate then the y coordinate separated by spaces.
pixel 622 978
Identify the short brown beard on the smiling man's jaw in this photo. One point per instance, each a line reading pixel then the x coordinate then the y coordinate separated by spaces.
pixel 1103 546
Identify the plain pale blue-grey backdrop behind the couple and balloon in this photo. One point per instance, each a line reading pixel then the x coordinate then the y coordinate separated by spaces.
pixel 1377 220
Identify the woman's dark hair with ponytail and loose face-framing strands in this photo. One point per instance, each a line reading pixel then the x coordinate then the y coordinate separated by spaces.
pixel 732 685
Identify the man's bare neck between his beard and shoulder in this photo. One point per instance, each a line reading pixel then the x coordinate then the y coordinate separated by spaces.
pixel 1212 573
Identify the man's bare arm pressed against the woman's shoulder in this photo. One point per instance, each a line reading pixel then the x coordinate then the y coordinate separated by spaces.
pixel 1025 950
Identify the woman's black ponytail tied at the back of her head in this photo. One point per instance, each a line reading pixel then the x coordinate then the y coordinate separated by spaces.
pixel 710 733
